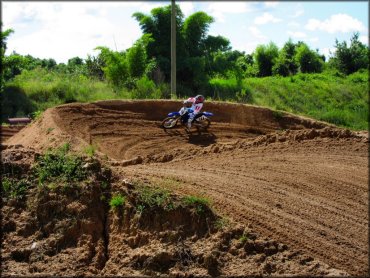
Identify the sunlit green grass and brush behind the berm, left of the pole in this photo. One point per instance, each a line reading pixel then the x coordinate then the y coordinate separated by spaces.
pixel 39 89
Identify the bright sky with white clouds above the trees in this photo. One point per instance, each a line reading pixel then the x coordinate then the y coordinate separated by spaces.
pixel 63 30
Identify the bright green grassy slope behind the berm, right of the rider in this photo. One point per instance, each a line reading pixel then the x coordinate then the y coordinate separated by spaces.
pixel 330 97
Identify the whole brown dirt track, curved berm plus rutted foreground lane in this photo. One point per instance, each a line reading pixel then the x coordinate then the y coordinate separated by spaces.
pixel 298 181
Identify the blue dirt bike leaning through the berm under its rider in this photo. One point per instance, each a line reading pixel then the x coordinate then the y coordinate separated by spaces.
pixel 201 120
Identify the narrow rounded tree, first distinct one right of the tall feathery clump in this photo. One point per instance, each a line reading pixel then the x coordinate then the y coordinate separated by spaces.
pixel 265 57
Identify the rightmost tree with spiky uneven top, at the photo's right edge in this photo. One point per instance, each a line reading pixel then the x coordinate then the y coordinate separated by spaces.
pixel 351 59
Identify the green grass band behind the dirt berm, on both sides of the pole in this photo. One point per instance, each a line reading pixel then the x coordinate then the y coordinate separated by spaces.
pixel 329 96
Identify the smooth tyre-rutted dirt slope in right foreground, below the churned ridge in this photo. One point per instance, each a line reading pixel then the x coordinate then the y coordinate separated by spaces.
pixel 292 201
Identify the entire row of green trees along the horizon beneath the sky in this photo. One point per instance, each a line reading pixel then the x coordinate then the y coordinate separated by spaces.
pixel 200 56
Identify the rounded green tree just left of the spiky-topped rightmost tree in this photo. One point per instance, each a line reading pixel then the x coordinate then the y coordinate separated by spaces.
pixel 309 61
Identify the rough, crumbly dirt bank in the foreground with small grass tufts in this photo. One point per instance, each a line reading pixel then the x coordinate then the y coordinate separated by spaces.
pixel 54 228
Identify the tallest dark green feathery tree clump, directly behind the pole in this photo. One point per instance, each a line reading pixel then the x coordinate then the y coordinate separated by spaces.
pixel 195 49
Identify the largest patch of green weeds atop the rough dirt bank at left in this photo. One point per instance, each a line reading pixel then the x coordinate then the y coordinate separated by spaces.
pixel 59 165
